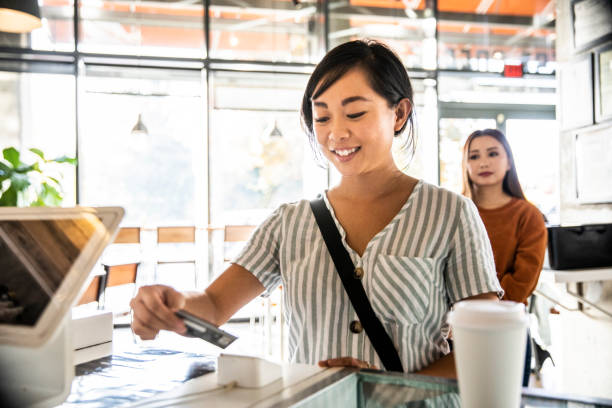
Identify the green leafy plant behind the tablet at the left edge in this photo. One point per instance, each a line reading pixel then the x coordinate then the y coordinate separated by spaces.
pixel 31 184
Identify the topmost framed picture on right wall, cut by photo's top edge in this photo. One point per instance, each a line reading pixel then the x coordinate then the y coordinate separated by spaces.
pixel 591 22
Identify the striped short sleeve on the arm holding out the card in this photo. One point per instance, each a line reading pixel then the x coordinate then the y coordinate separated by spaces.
pixel 260 254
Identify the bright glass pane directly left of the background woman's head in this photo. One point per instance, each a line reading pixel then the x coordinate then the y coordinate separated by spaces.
pixel 453 134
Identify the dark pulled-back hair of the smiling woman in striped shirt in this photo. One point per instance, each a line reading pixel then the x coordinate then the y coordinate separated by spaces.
pixel 383 68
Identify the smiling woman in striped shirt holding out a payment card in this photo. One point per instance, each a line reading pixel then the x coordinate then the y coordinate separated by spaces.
pixel 419 246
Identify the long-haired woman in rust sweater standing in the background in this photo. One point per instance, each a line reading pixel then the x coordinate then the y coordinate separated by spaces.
pixel 515 227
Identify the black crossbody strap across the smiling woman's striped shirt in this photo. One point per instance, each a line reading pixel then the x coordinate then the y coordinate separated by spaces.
pixel 344 265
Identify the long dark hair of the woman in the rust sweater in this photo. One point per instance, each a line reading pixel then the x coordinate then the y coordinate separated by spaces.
pixel 510 185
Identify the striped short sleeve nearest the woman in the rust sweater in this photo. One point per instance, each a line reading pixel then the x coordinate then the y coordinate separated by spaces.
pixel 470 268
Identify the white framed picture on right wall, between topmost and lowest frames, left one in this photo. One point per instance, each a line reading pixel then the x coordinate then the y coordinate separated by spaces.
pixel 576 91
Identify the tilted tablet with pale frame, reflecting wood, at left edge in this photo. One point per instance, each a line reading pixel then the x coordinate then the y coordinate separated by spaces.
pixel 46 256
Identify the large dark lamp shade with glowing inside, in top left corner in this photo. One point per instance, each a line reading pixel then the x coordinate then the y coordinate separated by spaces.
pixel 19 16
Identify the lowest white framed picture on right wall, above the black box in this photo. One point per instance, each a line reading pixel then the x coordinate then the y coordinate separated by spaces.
pixel 594 165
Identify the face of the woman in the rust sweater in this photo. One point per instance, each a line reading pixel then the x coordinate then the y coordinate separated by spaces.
pixel 487 161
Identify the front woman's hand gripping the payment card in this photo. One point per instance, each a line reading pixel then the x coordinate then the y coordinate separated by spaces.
pixel 153 310
